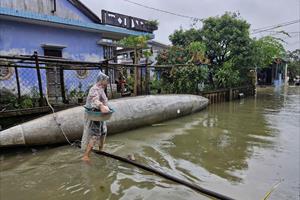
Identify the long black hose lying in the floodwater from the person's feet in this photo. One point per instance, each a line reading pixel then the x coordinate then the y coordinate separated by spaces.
pixel 167 176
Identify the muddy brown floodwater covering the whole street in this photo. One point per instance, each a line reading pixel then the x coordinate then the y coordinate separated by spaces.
pixel 243 149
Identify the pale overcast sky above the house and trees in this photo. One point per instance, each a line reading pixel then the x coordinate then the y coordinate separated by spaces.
pixel 259 13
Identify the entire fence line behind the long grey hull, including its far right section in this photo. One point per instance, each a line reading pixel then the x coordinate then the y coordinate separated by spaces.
pixel 26 81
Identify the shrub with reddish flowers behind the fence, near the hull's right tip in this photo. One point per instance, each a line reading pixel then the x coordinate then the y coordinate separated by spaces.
pixel 184 79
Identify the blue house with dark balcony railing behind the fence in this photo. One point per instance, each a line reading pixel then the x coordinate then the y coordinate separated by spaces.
pixel 60 28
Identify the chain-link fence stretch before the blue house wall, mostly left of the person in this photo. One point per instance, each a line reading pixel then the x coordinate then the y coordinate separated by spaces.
pixel 26 81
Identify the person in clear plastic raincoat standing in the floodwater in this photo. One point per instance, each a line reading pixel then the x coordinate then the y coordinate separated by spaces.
pixel 94 132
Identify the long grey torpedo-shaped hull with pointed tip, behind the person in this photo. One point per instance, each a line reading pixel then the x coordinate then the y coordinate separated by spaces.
pixel 131 113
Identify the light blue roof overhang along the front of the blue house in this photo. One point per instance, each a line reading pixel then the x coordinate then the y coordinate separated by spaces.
pixel 106 31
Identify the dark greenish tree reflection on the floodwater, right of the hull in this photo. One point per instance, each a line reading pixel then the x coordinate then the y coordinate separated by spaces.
pixel 222 143
